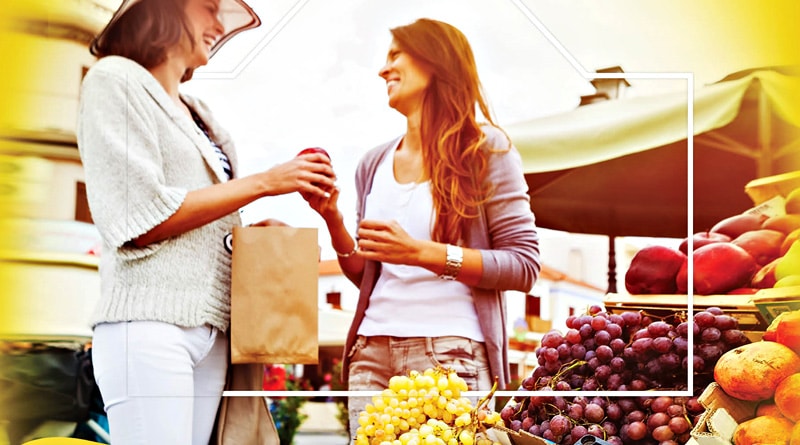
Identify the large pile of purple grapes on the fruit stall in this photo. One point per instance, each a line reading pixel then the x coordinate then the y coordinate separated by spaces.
pixel 625 351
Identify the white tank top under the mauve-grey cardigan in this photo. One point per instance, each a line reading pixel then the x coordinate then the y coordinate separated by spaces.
pixel 411 301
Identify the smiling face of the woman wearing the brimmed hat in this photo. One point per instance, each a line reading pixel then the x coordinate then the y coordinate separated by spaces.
pixel 203 16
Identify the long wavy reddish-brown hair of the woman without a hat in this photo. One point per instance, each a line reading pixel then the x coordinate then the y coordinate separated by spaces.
pixel 451 135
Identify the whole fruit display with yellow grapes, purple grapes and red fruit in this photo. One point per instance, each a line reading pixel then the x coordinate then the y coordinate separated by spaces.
pixel 622 372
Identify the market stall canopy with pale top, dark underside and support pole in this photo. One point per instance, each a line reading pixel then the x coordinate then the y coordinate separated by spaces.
pixel 620 168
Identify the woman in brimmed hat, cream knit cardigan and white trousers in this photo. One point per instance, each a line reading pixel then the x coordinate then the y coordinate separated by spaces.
pixel 162 184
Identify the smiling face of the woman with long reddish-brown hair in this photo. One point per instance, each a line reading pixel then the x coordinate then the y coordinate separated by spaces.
pixel 406 80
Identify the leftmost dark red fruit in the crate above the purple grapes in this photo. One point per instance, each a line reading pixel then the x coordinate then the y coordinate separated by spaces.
pixel 653 270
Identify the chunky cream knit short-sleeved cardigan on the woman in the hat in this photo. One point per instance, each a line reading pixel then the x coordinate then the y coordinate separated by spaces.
pixel 141 155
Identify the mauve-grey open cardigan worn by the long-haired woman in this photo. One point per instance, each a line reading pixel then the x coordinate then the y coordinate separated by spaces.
pixel 505 233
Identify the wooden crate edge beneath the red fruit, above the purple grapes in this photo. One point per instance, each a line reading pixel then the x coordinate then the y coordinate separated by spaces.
pixel 740 307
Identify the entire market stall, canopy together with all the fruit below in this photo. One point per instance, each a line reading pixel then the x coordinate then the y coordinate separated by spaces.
pixel 652 365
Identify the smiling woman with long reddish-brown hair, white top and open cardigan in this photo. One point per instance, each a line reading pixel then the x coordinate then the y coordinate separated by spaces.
pixel 444 225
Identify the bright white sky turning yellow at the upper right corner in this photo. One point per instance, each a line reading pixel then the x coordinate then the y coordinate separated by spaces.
pixel 309 75
